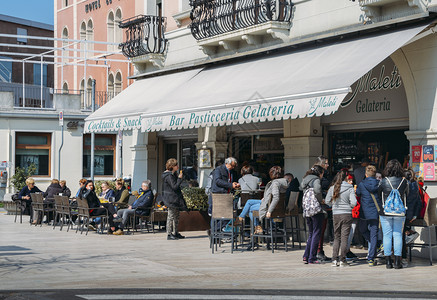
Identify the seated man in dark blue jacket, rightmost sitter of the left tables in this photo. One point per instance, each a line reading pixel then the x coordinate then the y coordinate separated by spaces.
pixel 142 206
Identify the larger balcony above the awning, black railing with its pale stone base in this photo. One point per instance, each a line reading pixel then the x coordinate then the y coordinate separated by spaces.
pixel 227 22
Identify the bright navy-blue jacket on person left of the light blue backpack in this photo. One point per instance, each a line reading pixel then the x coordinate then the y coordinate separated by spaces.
pixel 368 208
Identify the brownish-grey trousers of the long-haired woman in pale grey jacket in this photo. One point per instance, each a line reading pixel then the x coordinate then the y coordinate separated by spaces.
pixel 342 228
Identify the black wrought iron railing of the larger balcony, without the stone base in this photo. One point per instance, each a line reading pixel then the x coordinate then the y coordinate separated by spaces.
pixel 213 17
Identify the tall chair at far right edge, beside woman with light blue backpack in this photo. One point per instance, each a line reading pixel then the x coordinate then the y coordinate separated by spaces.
pixel 429 223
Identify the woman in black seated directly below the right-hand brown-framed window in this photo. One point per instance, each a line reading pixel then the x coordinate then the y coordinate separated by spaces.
pixel 97 208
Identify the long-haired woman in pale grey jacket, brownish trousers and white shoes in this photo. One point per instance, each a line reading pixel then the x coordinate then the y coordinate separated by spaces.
pixel 341 197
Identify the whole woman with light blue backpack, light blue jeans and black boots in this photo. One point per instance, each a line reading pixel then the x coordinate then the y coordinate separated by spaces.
pixel 393 190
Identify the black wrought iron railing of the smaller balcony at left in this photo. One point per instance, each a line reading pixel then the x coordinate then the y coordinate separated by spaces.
pixel 144 35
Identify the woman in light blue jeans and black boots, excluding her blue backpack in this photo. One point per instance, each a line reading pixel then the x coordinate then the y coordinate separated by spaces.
pixel 392 226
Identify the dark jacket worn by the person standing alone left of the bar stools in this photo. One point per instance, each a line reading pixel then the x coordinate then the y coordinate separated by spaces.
pixel 171 190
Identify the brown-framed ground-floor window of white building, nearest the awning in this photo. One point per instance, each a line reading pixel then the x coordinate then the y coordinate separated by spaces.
pixel 104 155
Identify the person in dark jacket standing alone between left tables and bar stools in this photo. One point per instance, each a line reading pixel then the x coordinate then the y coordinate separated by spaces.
pixel 173 199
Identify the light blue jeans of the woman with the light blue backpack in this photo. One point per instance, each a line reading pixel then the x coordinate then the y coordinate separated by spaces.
pixel 392 232
